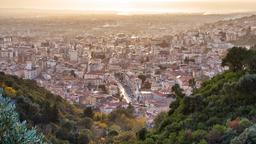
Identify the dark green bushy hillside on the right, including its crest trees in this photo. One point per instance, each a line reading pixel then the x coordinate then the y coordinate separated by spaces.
pixel 222 111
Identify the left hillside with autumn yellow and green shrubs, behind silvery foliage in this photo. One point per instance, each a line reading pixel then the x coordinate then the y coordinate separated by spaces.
pixel 64 123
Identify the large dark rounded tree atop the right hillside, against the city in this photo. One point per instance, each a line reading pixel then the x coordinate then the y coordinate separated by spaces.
pixel 235 58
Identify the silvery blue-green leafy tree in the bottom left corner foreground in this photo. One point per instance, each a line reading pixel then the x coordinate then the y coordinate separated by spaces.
pixel 12 131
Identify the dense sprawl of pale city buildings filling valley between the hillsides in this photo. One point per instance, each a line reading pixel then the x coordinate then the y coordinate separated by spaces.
pixel 118 68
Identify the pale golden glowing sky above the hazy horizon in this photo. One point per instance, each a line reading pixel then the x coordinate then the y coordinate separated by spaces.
pixel 133 6
